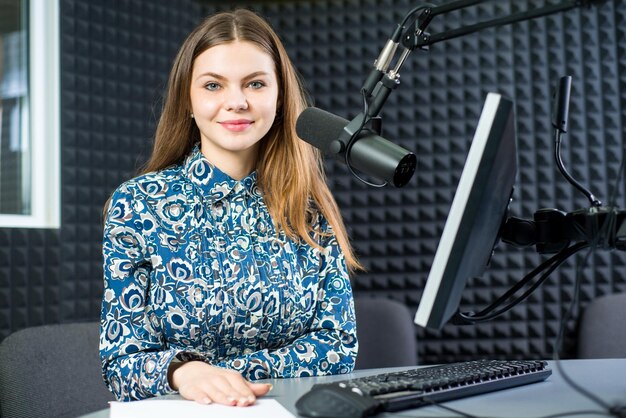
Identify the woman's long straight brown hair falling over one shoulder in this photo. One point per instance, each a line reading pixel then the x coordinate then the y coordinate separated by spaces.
pixel 289 171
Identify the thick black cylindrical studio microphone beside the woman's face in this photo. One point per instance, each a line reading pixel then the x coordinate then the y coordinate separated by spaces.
pixel 369 153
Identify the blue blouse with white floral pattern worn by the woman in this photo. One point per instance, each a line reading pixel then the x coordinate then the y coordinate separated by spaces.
pixel 194 269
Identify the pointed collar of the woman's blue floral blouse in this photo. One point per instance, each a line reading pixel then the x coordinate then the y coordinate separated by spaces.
pixel 213 183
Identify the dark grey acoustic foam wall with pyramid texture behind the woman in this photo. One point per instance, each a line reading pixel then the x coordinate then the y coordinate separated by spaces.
pixel 114 65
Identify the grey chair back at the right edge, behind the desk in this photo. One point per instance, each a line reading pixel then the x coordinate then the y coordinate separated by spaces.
pixel 602 328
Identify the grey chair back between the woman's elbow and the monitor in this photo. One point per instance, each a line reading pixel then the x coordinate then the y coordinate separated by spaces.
pixel 386 333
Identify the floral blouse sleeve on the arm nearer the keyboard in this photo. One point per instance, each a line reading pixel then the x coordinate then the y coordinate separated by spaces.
pixel 329 346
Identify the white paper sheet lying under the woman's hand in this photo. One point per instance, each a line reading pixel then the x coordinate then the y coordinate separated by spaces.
pixel 155 408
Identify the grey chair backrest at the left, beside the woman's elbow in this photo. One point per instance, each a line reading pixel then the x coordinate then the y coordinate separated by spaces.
pixel 52 371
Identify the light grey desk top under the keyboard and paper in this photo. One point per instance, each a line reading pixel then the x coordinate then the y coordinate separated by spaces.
pixel 605 378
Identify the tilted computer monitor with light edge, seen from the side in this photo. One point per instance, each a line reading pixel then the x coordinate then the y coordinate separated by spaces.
pixel 476 214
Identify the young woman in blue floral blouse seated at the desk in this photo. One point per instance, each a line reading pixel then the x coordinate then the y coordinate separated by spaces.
pixel 226 260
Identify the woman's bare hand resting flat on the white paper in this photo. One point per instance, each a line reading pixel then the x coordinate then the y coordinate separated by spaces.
pixel 204 383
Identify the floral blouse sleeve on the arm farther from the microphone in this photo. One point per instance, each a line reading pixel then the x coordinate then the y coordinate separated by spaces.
pixel 132 350
